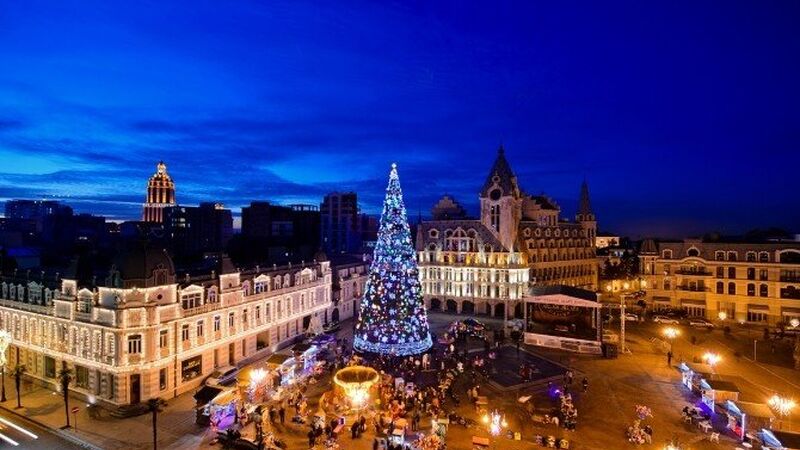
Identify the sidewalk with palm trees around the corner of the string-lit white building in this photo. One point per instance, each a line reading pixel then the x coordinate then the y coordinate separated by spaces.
pixel 176 428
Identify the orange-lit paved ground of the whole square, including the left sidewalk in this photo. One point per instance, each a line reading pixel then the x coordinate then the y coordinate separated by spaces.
pixel 605 410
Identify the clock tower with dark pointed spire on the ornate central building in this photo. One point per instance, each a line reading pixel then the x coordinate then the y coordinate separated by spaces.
pixel 501 201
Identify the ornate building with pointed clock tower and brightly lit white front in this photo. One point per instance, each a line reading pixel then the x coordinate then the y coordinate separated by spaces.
pixel 485 265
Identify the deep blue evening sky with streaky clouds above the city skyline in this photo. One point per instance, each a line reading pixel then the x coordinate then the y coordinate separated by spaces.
pixel 682 116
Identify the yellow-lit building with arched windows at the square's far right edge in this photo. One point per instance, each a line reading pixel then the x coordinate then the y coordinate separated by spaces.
pixel 748 282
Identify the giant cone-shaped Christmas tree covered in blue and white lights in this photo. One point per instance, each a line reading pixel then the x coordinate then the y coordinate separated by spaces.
pixel 393 319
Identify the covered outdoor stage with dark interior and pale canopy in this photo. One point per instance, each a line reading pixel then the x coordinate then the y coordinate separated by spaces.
pixel 563 317
